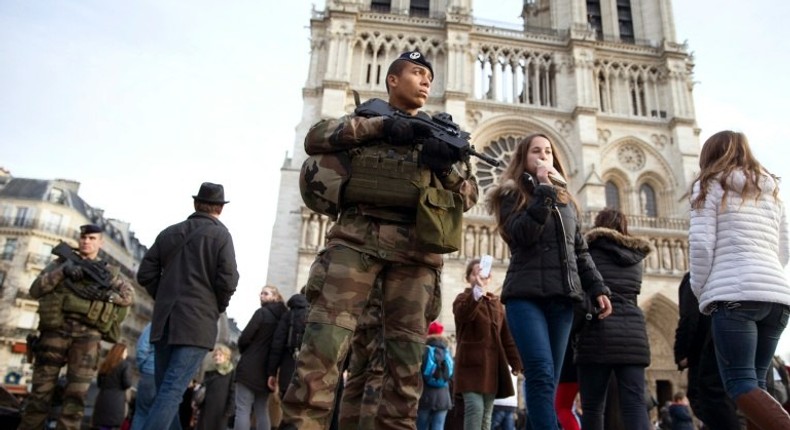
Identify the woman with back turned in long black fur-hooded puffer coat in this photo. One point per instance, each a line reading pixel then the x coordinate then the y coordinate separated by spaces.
pixel 617 344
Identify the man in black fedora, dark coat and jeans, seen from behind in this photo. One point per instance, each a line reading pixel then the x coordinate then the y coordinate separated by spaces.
pixel 190 271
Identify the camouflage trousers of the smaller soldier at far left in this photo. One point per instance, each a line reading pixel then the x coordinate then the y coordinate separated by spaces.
pixel 77 347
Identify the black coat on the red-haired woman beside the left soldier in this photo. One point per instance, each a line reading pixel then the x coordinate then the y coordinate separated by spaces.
pixel 109 409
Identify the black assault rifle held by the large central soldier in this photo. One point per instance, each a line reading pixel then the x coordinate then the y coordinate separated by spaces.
pixel 441 126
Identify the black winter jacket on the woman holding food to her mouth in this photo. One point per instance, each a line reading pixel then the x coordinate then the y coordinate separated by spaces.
pixel 549 257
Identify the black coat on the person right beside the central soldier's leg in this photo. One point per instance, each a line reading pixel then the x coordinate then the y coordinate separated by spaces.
pixel 281 357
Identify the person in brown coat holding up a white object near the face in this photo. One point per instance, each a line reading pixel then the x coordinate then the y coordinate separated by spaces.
pixel 486 354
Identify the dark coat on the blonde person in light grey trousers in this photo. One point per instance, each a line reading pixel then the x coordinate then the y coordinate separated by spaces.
pixel 255 344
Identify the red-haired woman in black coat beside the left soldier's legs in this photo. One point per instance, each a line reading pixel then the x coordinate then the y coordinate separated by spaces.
pixel 115 377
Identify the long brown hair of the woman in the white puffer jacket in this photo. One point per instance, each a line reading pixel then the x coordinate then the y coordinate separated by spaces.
pixel 722 154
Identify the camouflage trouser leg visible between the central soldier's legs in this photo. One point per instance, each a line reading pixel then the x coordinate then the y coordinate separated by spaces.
pixel 362 390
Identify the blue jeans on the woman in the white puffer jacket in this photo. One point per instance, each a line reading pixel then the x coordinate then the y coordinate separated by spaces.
pixel 745 335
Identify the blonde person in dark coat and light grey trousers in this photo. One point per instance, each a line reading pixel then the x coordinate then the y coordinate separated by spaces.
pixel 255 342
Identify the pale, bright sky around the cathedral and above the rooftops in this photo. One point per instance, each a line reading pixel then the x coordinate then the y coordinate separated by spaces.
pixel 142 101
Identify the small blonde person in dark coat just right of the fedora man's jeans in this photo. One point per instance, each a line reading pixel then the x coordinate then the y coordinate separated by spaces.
pixel 217 405
